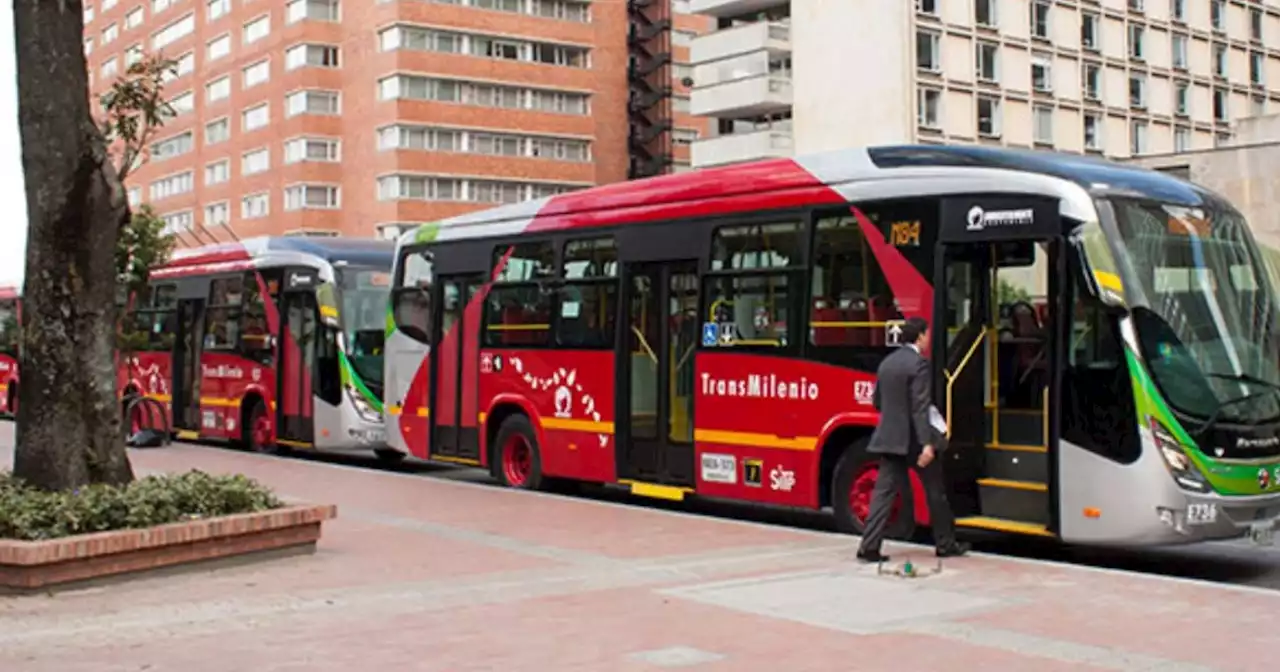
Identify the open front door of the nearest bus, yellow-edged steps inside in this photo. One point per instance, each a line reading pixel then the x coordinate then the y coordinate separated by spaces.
pixel 998 314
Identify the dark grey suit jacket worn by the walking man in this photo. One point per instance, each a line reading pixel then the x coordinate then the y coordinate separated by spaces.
pixel 903 397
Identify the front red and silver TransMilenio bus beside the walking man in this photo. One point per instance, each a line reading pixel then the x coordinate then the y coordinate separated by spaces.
pixel 1107 351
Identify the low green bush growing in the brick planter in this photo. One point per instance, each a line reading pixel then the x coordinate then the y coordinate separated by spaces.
pixel 31 515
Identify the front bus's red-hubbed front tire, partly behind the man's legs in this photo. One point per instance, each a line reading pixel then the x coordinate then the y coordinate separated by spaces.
pixel 852 496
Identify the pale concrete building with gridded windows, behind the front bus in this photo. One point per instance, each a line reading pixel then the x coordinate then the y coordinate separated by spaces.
pixel 1117 77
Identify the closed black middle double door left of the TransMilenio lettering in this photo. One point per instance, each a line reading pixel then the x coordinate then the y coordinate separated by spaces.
pixel 656 373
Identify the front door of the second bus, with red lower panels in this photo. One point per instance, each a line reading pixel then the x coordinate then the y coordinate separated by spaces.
pixel 300 333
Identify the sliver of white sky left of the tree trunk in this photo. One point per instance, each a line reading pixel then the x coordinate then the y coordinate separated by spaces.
pixel 13 228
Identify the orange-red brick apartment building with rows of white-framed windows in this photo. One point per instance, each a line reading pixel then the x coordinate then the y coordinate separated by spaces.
pixel 330 117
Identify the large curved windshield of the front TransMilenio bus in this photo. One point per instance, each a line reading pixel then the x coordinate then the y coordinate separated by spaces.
pixel 1206 313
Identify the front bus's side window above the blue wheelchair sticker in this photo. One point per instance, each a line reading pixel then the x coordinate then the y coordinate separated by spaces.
pixel 749 290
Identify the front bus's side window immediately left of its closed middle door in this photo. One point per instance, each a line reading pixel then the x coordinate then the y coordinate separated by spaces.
pixel 589 300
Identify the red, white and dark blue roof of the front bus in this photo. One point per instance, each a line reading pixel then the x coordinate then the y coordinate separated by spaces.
pixel 806 181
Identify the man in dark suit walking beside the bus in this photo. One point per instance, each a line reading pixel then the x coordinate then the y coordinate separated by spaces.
pixel 906 435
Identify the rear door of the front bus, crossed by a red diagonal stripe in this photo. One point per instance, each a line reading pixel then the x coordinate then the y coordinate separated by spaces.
pixel 455 367
